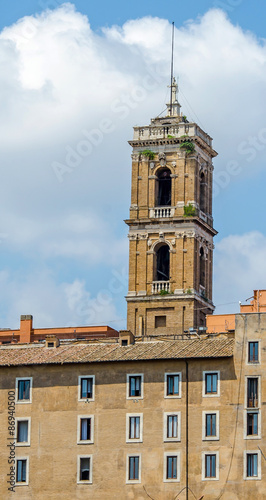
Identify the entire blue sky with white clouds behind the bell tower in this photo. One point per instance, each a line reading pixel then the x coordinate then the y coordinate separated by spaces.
pixel 74 79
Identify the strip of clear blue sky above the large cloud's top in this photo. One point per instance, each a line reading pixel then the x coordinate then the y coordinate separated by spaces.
pixel 249 17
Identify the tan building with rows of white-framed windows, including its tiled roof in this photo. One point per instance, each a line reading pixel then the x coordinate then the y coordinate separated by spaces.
pixel 134 420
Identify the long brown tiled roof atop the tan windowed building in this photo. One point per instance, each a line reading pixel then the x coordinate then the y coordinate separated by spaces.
pixel 98 353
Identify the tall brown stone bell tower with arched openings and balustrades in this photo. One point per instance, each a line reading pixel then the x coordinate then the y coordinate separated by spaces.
pixel 170 226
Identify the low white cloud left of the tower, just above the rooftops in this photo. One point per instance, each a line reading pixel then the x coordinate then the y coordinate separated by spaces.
pixel 53 304
